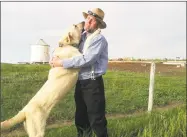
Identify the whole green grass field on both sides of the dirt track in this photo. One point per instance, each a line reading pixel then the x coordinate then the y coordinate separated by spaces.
pixel 126 93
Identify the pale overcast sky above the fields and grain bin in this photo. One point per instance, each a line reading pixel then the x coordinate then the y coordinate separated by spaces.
pixel 134 29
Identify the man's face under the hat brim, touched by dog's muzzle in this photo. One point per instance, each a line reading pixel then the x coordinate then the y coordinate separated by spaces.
pixel 90 24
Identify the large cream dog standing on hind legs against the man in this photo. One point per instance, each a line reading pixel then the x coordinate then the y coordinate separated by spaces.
pixel 60 81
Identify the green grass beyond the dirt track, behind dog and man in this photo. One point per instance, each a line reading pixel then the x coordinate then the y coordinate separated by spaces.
pixel 125 91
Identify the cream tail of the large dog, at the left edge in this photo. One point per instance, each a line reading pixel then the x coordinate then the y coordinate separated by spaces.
pixel 20 117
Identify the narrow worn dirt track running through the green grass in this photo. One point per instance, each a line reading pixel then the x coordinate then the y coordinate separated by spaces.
pixel 20 132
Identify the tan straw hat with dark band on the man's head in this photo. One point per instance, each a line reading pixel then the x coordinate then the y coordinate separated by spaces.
pixel 98 14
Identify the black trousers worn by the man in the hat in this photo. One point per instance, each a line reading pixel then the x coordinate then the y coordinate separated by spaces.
pixel 90 108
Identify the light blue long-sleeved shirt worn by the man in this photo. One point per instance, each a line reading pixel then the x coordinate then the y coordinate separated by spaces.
pixel 96 55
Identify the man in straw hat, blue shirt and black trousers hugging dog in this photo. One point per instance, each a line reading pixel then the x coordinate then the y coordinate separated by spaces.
pixel 89 91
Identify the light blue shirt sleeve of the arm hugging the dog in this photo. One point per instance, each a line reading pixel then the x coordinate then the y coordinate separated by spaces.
pixel 91 55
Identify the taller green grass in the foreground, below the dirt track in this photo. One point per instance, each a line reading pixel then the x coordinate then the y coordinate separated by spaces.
pixel 171 123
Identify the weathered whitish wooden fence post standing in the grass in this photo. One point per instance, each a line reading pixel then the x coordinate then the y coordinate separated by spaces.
pixel 151 87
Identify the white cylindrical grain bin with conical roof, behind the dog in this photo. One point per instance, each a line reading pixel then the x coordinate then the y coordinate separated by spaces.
pixel 40 52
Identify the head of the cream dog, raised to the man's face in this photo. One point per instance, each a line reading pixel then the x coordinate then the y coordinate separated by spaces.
pixel 72 36
